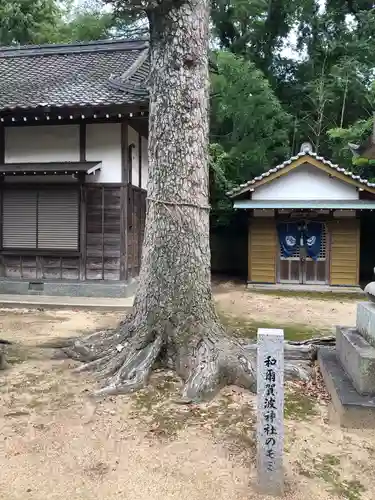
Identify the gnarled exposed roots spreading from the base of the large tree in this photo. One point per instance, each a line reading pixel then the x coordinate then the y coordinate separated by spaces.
pixel 123 359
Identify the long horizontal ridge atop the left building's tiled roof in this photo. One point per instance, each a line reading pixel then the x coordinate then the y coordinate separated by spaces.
pixel 75 47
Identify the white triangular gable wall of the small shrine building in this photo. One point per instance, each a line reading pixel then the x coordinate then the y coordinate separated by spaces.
pixel 306 182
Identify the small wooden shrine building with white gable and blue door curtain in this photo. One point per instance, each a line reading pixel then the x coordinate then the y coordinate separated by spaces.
pixel 304 222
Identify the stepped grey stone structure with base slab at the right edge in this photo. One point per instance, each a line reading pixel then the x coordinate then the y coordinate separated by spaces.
pixel 349 369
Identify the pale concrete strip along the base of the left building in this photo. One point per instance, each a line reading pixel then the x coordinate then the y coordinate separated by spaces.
pixel 53 302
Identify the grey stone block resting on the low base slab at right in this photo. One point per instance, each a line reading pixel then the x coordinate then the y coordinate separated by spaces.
pixel 357 357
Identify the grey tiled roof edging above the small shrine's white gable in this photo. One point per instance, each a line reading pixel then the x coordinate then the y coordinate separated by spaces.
pixel 247 186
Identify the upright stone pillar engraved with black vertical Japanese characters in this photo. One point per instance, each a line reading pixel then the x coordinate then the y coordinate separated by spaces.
pixel 270 411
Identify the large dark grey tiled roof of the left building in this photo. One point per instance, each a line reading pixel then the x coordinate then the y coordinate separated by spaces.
pixel 80 74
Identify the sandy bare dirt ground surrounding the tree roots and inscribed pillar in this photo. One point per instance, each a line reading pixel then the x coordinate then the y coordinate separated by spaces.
pixel 56 442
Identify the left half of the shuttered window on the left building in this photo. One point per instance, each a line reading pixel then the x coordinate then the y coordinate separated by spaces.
pixel 19 218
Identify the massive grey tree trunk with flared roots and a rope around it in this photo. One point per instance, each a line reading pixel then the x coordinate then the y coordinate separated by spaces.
pixel 174 320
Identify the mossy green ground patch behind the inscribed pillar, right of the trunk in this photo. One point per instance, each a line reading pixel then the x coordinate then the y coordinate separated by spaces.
pixel 243 328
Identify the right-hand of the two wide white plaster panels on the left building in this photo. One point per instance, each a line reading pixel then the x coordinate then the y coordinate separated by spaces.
pixel 103 143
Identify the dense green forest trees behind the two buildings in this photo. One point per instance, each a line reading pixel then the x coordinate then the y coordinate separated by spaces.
pixel 283 72
